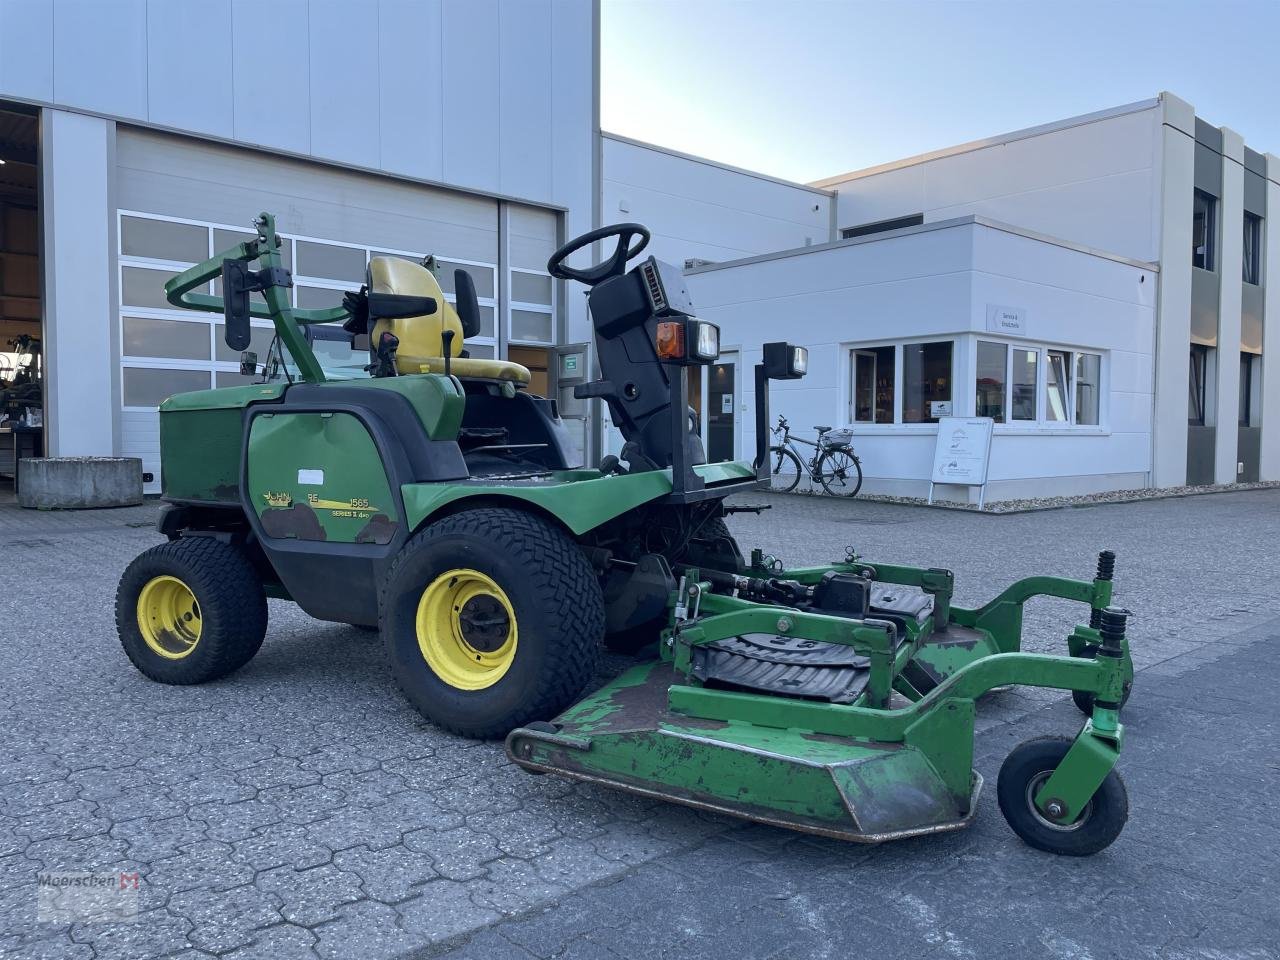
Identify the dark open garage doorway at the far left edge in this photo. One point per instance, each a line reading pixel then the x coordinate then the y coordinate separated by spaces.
pixel 21 362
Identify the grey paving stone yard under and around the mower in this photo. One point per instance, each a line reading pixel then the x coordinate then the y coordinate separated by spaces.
pixel 301 810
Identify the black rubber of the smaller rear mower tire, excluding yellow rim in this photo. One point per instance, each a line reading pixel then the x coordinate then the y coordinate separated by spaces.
pixel 232 610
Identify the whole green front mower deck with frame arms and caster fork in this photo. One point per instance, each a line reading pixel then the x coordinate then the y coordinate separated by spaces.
pixel 851 724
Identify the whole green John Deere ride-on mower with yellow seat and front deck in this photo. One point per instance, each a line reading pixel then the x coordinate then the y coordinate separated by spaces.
pixel 431 496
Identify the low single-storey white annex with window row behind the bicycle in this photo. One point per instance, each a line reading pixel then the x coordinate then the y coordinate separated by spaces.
pixel 938 285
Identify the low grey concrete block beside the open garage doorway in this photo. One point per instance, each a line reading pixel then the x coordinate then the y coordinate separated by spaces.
pixel 80 483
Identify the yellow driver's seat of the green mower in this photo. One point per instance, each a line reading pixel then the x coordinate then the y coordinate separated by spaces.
pixel 422 339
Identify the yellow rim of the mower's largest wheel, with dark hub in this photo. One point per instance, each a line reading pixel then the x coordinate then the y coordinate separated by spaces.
pixel 467 629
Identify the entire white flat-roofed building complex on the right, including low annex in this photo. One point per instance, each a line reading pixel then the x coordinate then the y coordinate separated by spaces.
pixel 1098 286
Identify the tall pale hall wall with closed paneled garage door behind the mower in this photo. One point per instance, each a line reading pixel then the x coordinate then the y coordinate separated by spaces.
pixel 465 129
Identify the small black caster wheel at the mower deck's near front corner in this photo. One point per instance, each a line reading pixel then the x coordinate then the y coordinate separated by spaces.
pixel 1021 778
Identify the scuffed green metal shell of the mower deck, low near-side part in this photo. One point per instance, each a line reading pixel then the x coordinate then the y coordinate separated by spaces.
pixel 628 737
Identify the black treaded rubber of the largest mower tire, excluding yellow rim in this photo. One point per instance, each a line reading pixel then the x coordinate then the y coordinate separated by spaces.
pixel 557 605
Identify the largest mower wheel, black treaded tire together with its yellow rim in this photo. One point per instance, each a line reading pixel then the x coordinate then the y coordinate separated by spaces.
pixel 492 619
